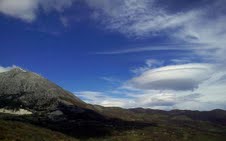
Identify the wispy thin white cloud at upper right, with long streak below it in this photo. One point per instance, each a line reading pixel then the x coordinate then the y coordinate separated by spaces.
pixel 203 25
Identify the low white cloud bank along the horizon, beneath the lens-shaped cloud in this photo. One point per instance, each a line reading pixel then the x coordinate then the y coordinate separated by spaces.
pixel 147 99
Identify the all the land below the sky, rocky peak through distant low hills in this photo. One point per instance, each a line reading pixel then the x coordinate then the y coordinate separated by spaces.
pixel 34 104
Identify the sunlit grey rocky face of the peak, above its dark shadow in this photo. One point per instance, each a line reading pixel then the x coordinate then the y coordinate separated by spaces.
pixel 30 91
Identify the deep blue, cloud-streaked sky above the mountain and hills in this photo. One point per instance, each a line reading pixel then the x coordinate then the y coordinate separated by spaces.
pixel 127 53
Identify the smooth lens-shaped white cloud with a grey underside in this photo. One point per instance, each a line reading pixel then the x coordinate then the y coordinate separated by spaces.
pixel 174 77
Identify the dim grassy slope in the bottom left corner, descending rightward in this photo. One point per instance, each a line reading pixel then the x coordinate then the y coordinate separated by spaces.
pixel 18 131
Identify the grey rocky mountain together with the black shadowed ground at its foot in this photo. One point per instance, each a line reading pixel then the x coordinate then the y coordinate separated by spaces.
pixel 32 99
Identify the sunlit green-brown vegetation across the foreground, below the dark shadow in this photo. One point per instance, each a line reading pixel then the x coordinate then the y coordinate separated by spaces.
pixel 180 128
